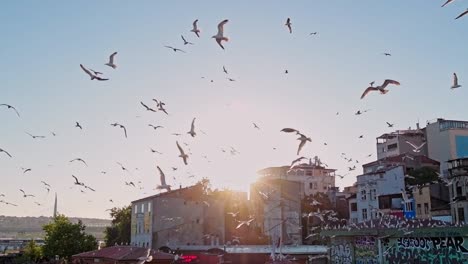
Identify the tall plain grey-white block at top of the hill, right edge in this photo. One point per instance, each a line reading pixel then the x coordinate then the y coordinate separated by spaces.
pixel 446 140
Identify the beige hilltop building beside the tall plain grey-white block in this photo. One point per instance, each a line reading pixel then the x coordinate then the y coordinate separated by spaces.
pixel 394 143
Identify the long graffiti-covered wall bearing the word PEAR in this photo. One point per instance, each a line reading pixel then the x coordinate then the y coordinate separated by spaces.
pixel 436 250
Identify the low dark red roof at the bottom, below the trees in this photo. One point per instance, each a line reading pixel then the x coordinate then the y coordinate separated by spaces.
pixel 121 254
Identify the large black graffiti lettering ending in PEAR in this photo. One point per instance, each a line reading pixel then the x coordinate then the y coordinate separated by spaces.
pixel 427 243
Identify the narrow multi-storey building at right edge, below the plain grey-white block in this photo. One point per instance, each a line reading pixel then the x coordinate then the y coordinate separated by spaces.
pixel 458 188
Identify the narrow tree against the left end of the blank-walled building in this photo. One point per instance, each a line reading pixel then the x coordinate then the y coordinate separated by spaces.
pixel 120 230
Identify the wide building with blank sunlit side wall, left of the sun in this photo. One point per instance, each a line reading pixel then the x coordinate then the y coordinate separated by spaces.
pixel 187 216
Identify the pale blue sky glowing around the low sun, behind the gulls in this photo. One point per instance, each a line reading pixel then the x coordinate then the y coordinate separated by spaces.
pixel 43 44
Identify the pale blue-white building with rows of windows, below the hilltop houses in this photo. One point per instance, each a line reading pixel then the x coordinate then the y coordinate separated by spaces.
pixel 378 191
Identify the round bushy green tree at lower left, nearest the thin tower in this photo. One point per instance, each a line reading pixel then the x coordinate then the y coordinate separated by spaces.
pixel 65 239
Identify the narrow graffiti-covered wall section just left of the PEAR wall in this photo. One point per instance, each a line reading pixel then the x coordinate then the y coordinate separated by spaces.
pixel 365 250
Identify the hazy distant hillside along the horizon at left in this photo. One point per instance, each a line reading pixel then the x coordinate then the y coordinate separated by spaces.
pixel 31 227
